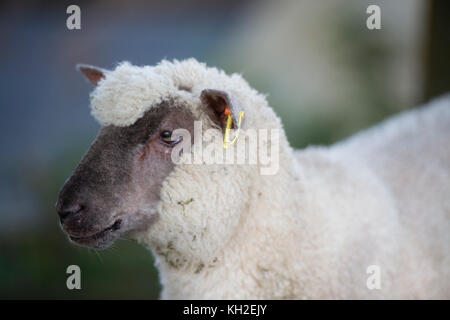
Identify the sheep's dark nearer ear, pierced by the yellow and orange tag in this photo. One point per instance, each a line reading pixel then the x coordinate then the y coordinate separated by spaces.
pixel 216 103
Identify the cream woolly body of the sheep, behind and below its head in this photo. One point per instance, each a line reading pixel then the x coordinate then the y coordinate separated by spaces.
pixel 311 231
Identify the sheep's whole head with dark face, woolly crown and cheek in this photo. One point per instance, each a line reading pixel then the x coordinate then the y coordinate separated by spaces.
pixel 127 183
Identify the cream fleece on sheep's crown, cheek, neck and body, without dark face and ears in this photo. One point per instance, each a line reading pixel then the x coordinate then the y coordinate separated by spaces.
pixel 312 229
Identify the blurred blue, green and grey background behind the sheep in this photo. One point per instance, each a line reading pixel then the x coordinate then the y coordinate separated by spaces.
pixel 326 74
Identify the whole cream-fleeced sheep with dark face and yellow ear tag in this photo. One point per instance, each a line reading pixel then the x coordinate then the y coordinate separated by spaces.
pixel 311 229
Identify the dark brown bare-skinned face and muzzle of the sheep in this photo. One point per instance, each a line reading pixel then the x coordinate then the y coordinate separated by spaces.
pixel 115 188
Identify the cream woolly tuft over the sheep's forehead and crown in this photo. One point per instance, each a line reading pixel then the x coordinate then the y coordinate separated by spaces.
pixel 127 92
